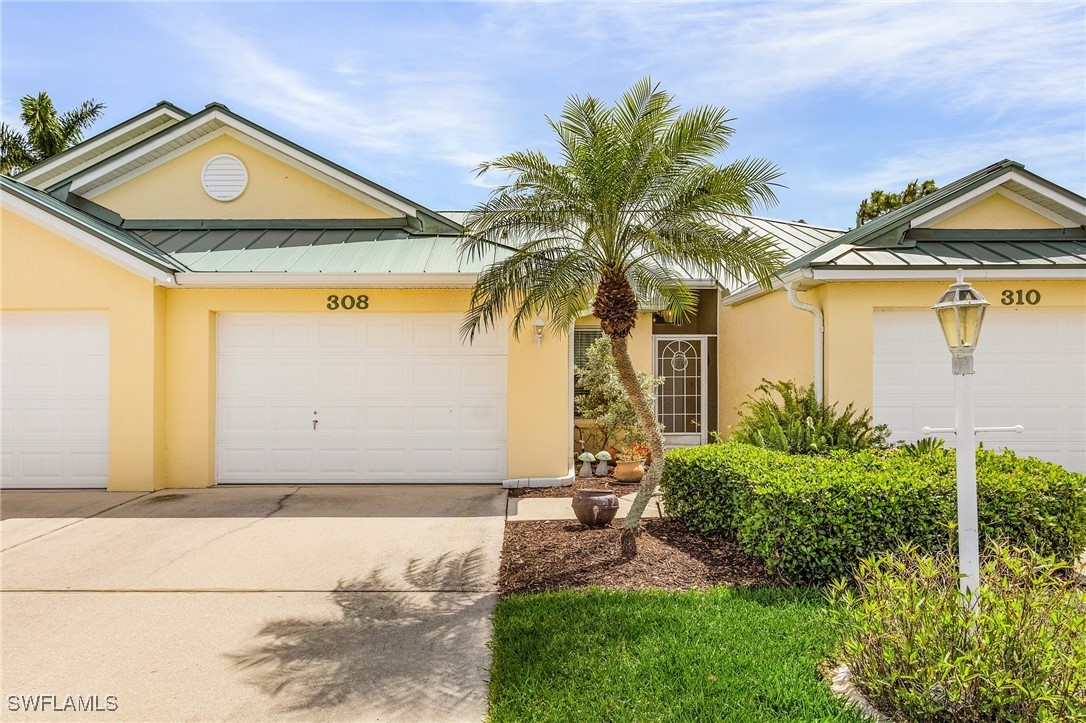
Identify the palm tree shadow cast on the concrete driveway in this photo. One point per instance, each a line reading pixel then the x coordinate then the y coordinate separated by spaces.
pixel 419 654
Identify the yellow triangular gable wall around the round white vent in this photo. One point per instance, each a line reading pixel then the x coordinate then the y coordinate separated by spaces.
pixel 275 191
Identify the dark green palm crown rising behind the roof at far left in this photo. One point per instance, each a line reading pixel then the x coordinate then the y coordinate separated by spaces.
pixel 47 133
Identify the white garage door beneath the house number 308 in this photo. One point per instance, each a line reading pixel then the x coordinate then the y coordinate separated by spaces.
pixel 359 398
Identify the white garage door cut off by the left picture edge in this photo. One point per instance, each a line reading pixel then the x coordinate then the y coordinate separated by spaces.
pixel 56 409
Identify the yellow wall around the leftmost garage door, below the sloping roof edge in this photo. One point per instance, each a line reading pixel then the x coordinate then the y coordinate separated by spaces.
pixel 43 272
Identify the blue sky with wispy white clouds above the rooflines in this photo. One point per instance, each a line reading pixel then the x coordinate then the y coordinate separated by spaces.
pixel 844 97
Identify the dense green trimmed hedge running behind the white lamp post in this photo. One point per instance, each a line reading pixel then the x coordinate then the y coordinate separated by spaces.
pixel 812 518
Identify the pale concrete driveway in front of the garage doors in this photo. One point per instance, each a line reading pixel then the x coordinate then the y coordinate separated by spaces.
pixel 257 603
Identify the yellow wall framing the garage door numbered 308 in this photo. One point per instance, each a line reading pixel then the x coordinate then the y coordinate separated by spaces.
pixel 538 376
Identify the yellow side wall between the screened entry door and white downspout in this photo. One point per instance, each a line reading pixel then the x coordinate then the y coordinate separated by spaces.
pixel 764 338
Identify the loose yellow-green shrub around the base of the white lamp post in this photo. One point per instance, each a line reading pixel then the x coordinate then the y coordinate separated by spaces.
pixel 919 655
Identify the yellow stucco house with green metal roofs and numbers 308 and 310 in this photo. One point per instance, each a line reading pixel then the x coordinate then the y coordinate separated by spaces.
pixel 192 300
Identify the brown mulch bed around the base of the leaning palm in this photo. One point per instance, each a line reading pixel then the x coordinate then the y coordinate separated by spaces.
pixel 539 557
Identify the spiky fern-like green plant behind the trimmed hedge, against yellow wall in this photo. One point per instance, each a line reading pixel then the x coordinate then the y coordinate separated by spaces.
pixel 802 425
